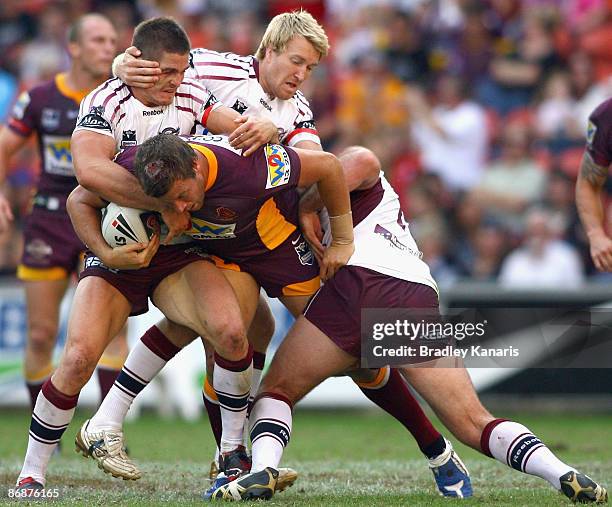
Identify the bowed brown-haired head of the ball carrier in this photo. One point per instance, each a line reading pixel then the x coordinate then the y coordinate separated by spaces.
pixel 162 160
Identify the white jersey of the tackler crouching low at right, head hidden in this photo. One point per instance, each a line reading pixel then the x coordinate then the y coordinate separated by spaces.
pixel 383 242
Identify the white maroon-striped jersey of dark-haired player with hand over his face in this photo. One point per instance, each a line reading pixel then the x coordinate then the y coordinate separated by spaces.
pixel 112 110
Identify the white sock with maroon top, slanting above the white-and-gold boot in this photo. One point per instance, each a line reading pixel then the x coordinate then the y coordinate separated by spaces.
pixel 146 359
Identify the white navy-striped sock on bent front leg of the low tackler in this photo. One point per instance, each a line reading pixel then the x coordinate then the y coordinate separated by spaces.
pixel 271 421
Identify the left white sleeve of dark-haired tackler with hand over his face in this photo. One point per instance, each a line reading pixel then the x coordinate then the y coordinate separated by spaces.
pixel 100 111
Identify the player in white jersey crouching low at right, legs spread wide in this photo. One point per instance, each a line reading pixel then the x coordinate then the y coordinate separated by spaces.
pixel 386 271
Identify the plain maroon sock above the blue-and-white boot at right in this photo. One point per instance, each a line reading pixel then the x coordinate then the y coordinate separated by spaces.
pixel 396 399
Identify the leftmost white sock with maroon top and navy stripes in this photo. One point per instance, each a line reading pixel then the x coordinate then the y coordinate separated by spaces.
pixel 51 416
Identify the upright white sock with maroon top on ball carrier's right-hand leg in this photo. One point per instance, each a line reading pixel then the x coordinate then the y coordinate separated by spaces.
pixel 232 384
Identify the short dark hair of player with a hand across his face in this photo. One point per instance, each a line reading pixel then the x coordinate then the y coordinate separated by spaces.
pixel 158 35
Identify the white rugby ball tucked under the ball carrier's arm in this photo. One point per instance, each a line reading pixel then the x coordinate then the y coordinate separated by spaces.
pixel 125 226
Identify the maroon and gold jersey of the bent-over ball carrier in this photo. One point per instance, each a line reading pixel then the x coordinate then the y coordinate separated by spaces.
pixel 250 203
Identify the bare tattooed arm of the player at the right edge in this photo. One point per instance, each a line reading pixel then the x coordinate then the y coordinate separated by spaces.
pixel 589 186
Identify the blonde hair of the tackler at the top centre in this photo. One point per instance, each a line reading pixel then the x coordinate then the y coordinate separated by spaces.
pixel 284 27
